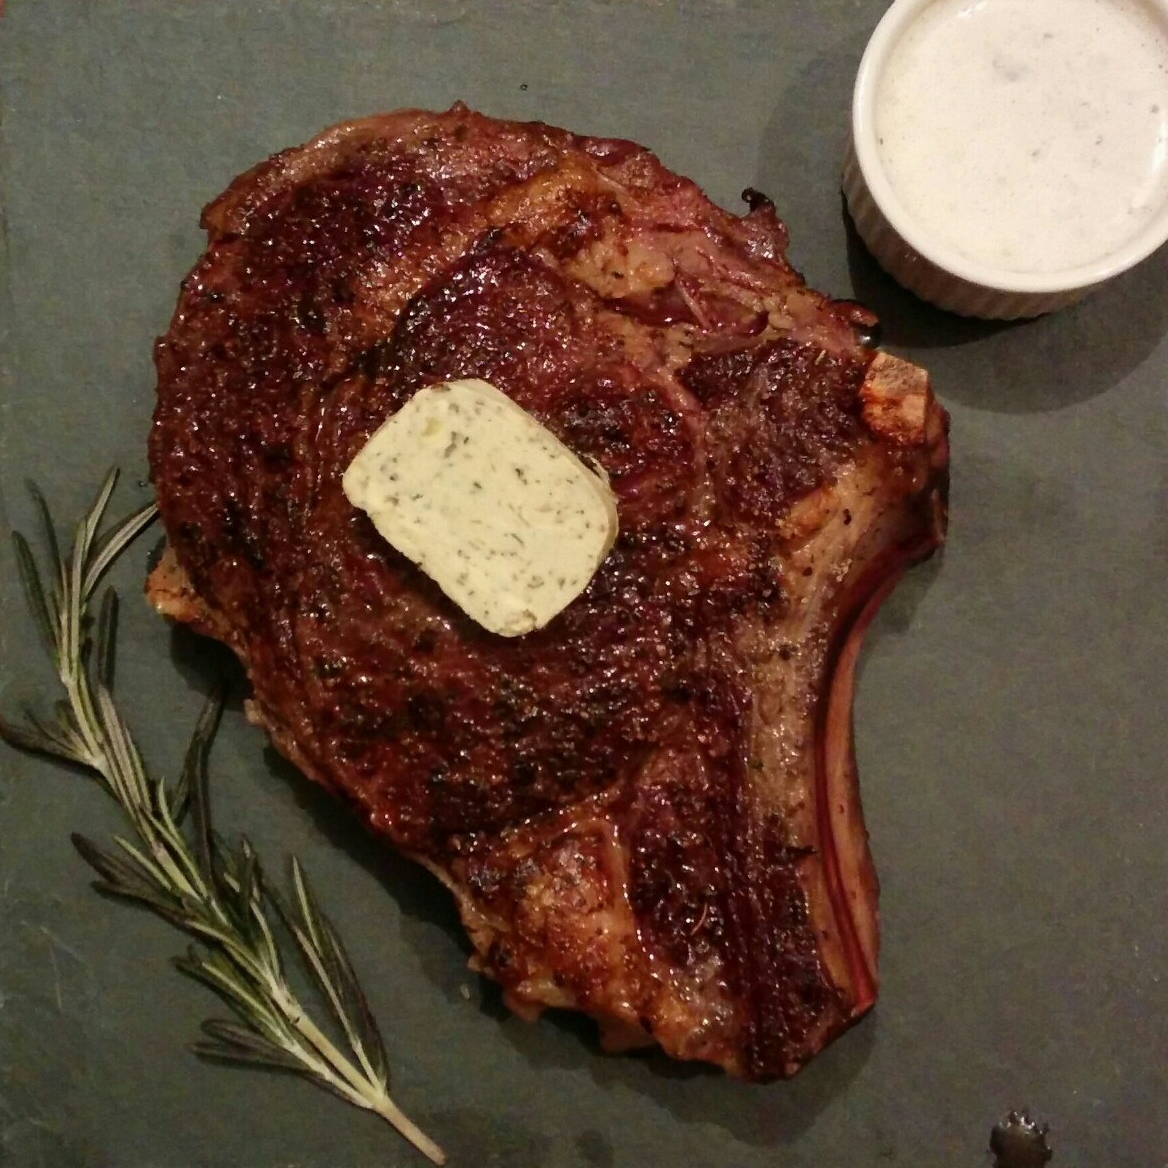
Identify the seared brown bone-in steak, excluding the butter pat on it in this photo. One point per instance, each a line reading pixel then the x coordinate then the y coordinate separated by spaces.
pixel 649 809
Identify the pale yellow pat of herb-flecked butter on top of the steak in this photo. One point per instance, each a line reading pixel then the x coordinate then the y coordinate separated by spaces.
pixel 505 519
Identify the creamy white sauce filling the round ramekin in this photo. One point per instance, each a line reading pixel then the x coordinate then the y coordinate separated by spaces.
pixel 1031 136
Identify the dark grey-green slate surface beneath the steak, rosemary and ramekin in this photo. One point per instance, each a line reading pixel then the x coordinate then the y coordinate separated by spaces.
pixel 1011 707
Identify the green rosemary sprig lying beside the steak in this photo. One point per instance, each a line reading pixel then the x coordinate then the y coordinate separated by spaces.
pixel 176 865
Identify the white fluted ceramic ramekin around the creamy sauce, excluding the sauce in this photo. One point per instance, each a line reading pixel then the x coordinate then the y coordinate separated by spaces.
pixel 929 268
